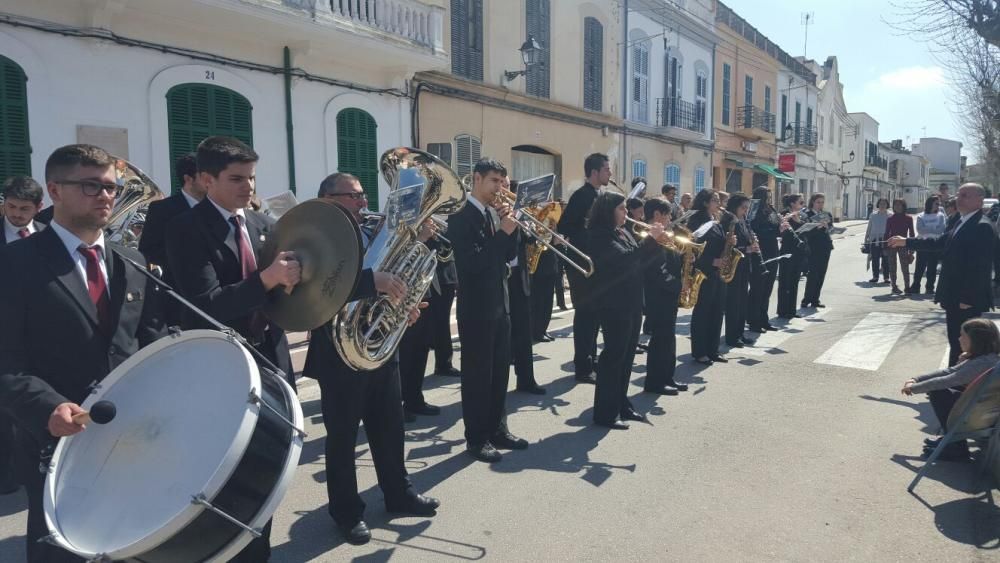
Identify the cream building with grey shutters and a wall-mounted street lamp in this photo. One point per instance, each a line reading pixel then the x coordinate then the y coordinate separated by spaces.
pixel 548 120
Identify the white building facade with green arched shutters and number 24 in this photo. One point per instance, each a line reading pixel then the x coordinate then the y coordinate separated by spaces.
pixel 333 98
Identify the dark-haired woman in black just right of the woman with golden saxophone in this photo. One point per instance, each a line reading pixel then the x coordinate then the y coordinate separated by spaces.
pixel 738 289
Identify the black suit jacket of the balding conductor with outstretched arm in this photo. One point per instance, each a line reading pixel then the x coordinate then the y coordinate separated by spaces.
pixel 966 263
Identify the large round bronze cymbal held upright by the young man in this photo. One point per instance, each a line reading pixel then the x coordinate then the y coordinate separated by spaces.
pixel 327 242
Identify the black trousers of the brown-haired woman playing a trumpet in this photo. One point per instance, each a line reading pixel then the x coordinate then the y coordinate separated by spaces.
pixel 613 369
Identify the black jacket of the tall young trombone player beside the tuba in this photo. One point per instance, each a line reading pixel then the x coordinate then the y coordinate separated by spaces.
pixel 481 261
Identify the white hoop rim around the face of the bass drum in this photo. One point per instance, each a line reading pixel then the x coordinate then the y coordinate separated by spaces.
pixel 219 478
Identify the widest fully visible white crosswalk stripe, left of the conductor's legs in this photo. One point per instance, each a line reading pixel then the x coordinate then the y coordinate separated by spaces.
pixel 868 344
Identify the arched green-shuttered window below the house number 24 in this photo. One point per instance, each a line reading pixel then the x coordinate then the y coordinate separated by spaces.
pixel 197 111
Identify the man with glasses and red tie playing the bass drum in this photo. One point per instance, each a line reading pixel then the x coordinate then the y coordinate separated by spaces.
pixel 73 313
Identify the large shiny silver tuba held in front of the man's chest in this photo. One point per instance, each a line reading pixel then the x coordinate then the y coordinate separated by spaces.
pixel 367 332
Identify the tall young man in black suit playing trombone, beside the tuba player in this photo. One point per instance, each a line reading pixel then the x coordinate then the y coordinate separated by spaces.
pixel 484 241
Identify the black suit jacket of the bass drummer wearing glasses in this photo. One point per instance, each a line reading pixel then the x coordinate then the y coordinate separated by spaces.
pixel 50 347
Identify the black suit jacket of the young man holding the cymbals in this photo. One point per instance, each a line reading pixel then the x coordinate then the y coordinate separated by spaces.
pixel 208 273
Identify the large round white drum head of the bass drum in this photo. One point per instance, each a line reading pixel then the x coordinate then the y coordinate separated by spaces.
pixel 183 422
